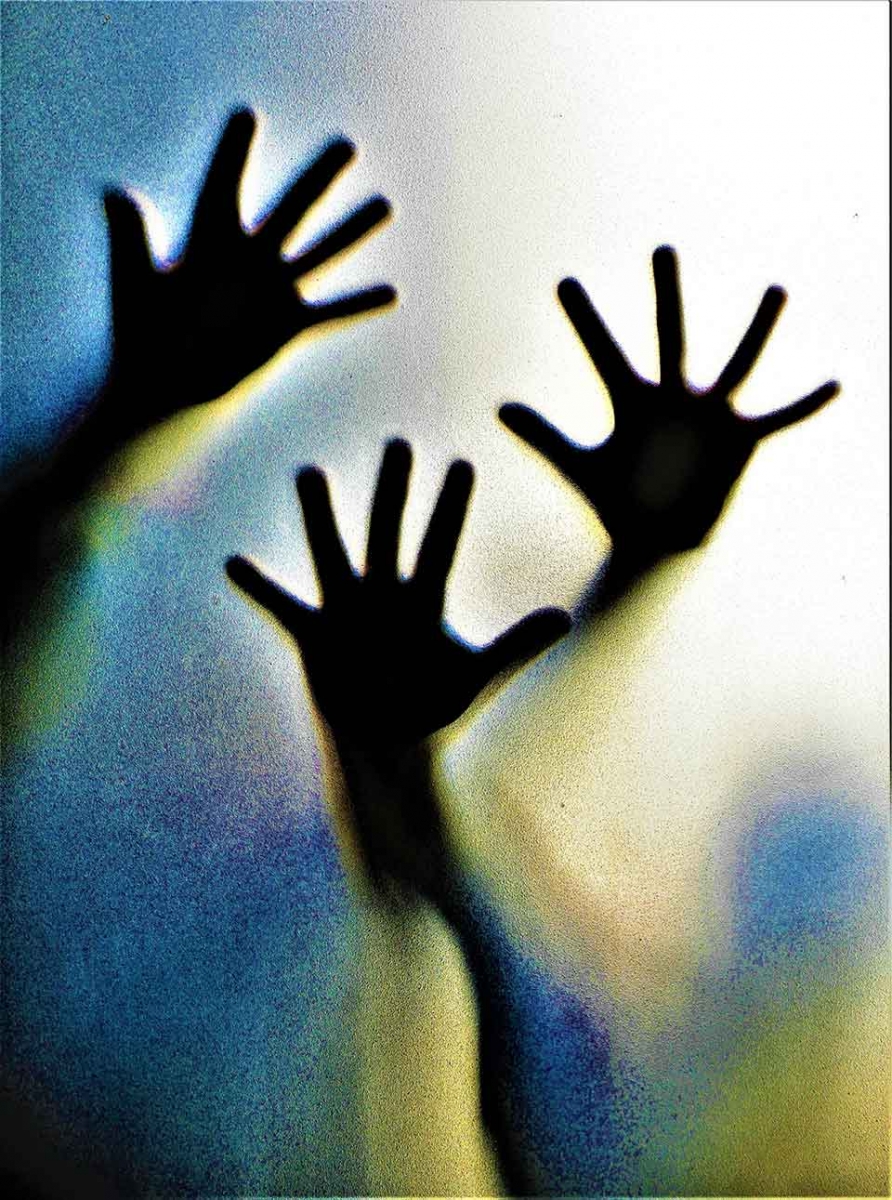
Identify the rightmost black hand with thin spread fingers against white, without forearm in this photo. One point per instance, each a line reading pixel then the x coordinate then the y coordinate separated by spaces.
pixel 662 478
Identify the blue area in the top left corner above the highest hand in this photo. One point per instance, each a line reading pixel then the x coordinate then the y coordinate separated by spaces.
pixel 136 95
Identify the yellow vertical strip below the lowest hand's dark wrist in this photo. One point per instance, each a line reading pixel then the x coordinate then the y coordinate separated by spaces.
pixel 417 1036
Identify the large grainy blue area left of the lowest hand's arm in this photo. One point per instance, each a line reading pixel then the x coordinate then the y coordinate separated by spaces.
pixel 183 927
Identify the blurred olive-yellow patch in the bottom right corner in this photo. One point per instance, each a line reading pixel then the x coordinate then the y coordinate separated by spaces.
pixel 777 1126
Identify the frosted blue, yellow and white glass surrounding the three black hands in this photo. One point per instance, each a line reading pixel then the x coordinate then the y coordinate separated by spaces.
pixel 680 817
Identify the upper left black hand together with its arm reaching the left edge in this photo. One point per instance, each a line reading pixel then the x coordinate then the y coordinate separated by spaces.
pixel 188 333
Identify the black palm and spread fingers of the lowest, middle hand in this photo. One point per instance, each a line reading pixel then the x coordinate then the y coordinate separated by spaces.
pixel 384 668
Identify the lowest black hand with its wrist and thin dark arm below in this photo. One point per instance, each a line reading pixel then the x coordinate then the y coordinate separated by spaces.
pixel 386 675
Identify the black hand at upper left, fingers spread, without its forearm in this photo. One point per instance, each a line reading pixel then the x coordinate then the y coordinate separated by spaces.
pixel 193 332
